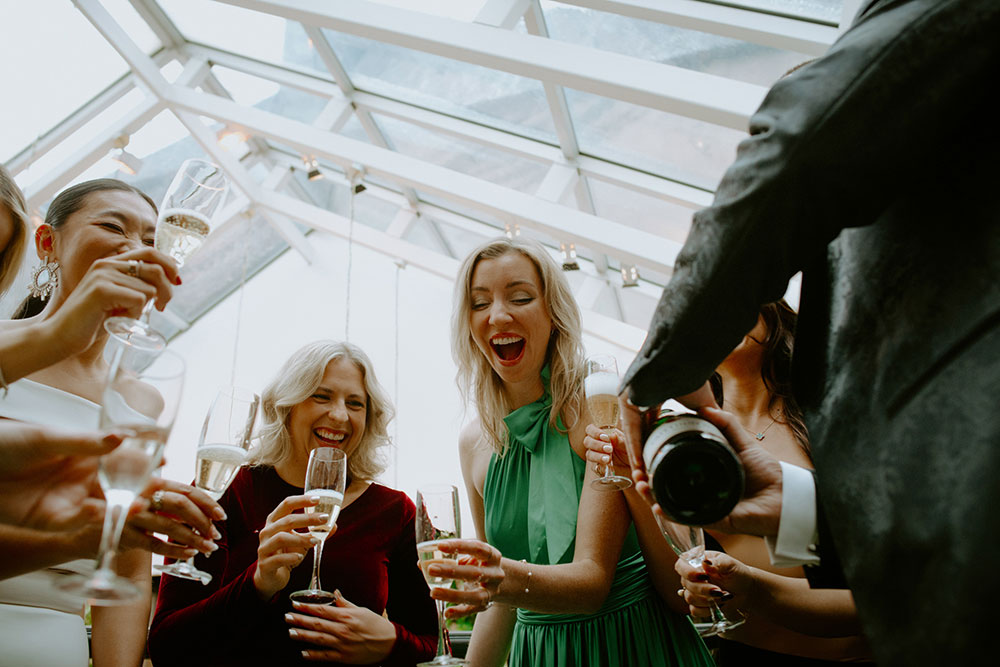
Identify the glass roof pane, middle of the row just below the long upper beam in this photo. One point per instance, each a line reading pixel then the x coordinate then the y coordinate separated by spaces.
pixel 479 94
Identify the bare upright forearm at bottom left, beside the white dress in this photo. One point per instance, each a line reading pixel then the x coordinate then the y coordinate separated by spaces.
pixel 119 634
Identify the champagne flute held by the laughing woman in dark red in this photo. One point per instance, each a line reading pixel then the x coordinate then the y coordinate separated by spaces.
pixel 326 477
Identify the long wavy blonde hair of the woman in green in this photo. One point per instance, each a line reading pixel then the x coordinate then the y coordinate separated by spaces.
pixel 476 378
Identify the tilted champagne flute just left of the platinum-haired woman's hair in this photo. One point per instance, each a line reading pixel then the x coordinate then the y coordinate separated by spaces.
pixel 222 449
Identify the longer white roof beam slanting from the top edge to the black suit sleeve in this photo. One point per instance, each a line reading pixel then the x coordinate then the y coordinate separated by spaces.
pixel 706 97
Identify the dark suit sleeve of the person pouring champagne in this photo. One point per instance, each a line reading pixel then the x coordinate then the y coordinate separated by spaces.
pixel 829 148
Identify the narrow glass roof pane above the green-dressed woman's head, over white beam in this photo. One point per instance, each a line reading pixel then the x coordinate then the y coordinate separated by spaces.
pixel 466 157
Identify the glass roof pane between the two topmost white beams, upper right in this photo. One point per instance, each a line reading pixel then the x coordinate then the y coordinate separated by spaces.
pixel 690 49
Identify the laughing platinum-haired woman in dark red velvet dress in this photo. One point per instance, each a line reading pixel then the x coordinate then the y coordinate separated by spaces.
pixel 326 395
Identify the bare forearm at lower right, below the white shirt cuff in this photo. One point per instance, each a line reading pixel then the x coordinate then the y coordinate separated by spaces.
pixel 788 601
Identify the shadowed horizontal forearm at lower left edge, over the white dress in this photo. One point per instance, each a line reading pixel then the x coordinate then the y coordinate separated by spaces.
pixel 23 550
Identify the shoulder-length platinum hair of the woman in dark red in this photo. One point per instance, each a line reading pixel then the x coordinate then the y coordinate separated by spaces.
pixel 298 378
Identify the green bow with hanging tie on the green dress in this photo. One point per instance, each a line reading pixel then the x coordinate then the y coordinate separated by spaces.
pixel 553 496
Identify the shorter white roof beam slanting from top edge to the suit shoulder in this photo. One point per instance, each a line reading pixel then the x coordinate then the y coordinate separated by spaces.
pixel 781 32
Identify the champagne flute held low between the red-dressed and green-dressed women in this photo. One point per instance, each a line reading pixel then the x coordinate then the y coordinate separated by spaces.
pixel 437 519
